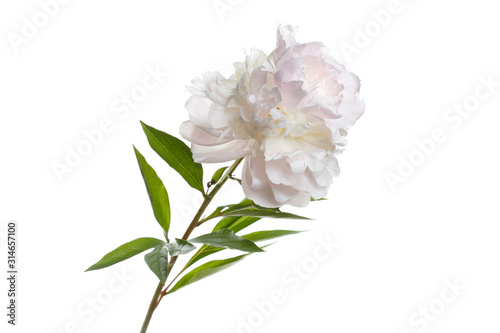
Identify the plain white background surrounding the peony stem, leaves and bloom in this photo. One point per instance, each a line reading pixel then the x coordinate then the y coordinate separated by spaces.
pixel 398 247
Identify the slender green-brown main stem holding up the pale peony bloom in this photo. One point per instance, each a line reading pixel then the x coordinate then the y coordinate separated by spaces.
pixel 158 295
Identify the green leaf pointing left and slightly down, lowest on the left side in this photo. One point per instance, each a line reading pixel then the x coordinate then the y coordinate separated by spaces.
pixel 126 251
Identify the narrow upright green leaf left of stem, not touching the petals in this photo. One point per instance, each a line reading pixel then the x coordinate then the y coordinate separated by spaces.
pixel 157 193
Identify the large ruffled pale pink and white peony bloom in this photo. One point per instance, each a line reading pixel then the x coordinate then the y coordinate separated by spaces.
pixel 287 114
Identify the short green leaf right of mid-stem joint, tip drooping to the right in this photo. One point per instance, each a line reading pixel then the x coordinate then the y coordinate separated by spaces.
pixel 227 238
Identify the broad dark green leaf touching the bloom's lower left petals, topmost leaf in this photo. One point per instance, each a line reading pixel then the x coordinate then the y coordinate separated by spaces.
pixel 177 154
